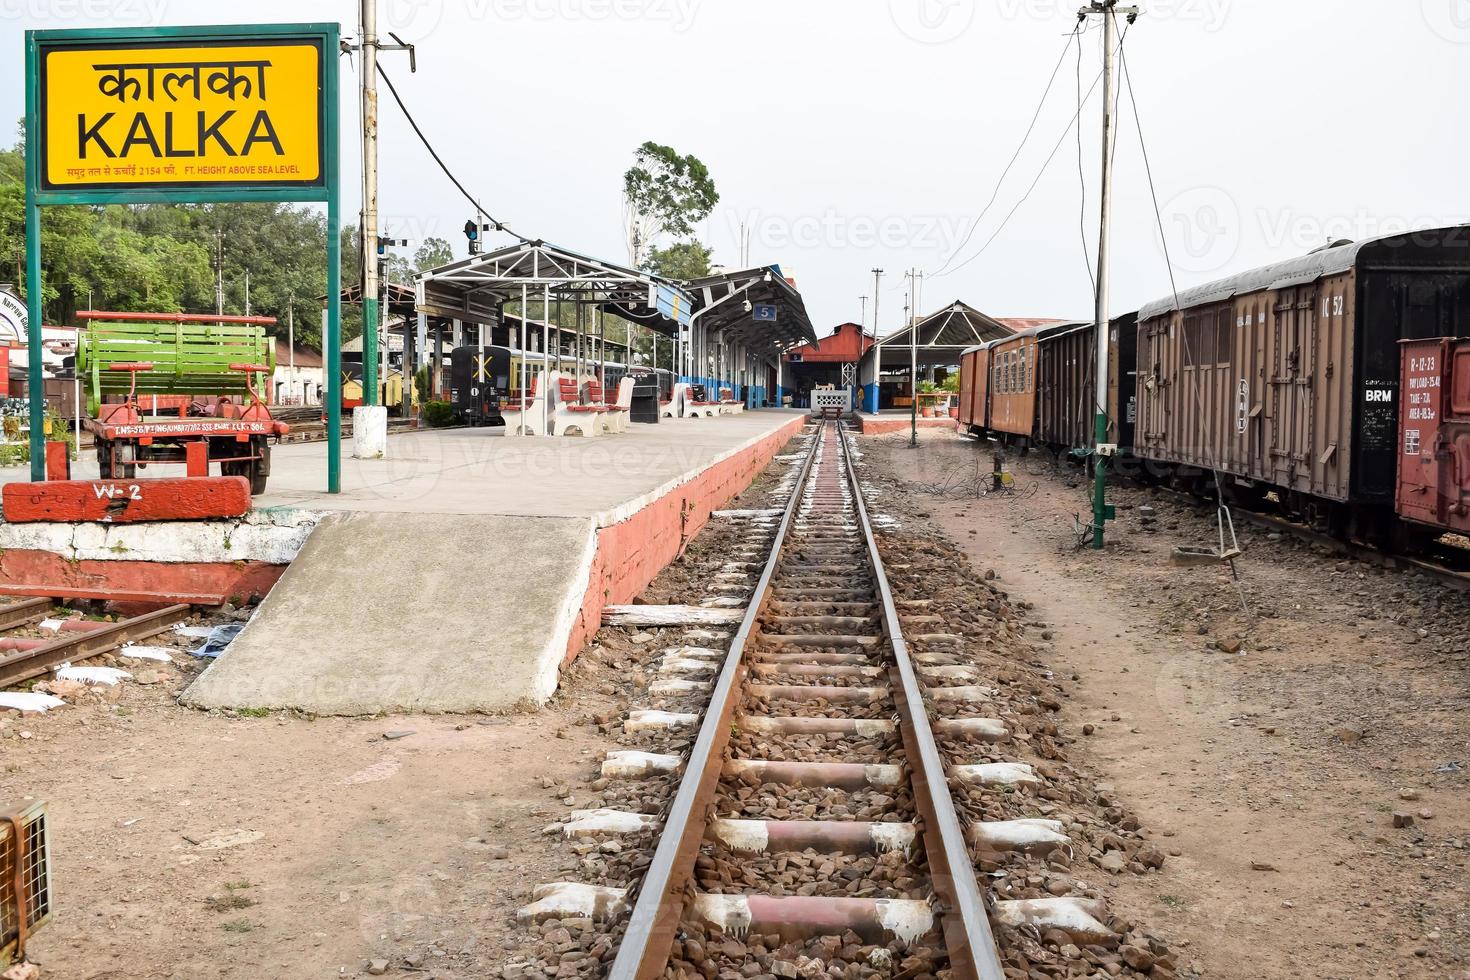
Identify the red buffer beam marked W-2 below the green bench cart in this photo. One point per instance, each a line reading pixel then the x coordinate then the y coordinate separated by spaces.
pixel 127 502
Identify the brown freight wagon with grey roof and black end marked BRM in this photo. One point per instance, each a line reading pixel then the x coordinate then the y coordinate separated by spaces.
pixel 1287 378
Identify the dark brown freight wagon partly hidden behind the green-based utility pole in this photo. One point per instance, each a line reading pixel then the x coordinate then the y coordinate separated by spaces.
pixel 1066 409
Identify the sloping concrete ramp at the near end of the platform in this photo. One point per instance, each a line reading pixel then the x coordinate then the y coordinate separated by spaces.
pixel 402 613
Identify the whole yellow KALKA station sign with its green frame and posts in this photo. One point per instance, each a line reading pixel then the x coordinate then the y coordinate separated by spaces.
pixel 183 115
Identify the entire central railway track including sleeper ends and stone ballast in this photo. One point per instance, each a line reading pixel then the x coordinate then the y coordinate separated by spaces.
pixel 828 784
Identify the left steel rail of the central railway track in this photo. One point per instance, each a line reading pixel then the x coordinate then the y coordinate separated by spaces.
pixel 655 919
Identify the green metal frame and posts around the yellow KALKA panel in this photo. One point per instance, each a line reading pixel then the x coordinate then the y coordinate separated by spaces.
pixel 326 190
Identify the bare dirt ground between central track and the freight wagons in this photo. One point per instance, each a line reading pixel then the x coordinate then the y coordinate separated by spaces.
pixel 1346 703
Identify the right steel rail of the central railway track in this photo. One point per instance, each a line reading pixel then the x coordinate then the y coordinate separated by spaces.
pixel 952 868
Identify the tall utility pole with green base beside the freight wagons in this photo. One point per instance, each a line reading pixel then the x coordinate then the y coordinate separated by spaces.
pixel 1102 512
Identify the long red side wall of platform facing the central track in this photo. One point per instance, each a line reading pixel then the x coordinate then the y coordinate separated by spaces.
pixel 633 552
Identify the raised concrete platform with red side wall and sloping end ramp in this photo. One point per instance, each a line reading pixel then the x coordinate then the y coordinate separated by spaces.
pixel 461 574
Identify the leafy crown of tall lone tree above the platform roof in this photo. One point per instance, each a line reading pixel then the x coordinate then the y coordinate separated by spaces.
pixel 665 195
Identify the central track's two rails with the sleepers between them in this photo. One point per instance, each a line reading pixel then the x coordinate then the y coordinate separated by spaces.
pixel 818 715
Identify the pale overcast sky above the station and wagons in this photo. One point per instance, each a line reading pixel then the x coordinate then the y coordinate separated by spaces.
pixel 850 134
